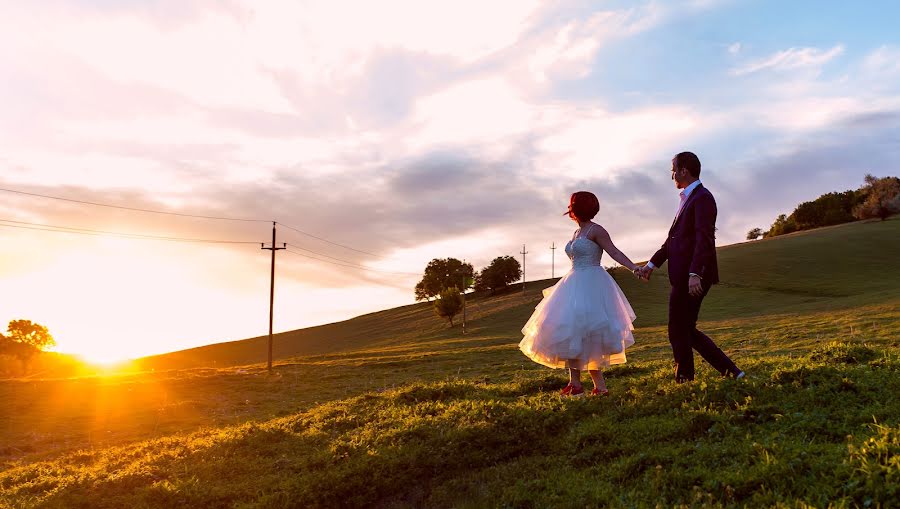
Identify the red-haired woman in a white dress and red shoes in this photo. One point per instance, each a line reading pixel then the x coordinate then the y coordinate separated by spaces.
pixel 584 321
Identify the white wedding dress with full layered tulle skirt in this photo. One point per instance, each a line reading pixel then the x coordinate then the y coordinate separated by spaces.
pixel 584 317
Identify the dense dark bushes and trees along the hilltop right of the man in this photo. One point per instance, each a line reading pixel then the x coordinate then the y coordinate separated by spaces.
pixel 878 197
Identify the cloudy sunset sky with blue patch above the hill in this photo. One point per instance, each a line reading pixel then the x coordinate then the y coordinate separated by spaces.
pixel 382 135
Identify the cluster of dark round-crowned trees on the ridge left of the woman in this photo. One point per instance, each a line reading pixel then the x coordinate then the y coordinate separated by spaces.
pixel 445 279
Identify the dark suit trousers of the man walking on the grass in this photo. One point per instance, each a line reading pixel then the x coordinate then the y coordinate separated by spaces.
pixel 684 336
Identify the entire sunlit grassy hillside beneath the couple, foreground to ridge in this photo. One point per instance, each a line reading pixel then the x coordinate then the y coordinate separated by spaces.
pixel 394 409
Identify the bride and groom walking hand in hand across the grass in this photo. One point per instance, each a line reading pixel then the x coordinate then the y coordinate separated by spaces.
pixel 584 321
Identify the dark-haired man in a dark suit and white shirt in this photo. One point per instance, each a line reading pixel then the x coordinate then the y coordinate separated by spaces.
pixel 690 249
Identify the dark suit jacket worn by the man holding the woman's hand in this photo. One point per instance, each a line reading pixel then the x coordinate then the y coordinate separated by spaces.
pixel 691 244
